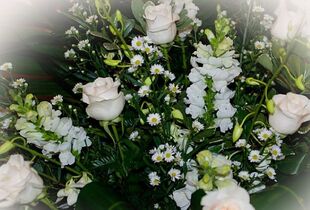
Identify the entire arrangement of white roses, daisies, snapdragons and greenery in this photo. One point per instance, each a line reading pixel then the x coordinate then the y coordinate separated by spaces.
pixel 167 113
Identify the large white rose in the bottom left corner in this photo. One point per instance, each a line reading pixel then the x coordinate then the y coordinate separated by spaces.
pixel 19 183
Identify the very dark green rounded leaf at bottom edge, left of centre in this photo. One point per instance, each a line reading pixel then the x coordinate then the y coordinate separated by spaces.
pixel 96 196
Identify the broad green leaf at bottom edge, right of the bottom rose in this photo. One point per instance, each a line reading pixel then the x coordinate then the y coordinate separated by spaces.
pixel 277 197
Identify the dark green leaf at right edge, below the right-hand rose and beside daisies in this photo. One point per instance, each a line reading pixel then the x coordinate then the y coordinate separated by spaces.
pixel 293 165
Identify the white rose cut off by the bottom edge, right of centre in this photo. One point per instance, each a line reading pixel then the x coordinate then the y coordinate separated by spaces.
pixel 232 198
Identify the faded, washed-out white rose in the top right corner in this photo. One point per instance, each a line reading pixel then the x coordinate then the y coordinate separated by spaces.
pixel 288 22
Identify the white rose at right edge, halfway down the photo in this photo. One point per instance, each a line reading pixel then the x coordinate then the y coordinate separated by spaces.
pixel 291 110
